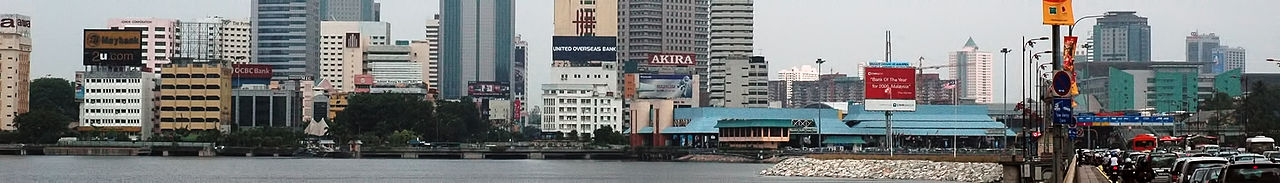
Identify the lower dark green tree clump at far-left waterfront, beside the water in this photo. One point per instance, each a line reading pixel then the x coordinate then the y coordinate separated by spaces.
pixel 42 126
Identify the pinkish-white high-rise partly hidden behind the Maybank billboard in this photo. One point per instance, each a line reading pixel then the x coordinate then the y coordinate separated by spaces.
pixel 161 44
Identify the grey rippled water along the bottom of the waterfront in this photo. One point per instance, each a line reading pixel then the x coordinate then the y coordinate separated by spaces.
pixel 20 170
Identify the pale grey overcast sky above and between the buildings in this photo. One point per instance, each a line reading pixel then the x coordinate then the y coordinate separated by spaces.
pixel 788 33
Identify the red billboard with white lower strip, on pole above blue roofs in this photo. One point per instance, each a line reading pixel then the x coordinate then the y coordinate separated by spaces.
pixel 890 89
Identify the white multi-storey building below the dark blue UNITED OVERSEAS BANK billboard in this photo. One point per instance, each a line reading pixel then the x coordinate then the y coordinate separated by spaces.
pixel 582 99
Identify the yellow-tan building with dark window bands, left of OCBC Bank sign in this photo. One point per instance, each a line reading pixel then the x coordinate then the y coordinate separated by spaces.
pixel 196 97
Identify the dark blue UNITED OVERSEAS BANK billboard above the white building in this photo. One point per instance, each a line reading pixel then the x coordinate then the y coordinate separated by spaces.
pixel 584 48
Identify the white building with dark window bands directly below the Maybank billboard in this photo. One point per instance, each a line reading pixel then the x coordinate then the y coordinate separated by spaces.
pixel 117 99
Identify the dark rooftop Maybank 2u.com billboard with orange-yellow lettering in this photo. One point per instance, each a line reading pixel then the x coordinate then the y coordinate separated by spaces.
pixel 113 48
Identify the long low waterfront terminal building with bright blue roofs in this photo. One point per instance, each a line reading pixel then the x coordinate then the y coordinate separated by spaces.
pixel 931 126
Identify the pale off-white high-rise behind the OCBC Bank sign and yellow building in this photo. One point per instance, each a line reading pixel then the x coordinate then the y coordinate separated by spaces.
pixel 216 39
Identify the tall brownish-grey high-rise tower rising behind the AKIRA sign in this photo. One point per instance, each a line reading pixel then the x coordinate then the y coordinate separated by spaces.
pixel 648 29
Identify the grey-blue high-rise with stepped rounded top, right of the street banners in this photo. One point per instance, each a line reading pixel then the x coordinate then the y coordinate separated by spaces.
pixel 1122 36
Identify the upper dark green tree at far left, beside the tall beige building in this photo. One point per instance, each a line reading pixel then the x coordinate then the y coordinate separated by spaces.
pixel 56 95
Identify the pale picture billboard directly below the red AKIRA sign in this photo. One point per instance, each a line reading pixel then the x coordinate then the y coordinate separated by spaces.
pixel 657 86
